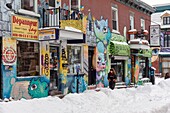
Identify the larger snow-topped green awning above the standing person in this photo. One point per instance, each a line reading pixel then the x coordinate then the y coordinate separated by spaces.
pixel 119 48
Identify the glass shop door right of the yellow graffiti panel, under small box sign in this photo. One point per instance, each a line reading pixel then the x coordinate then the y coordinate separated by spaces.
pixel 54 66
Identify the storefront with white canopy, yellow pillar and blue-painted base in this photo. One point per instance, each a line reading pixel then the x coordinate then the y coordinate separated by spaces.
pixel 72 44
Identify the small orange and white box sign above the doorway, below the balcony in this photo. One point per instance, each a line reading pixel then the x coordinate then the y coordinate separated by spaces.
pixel 48 34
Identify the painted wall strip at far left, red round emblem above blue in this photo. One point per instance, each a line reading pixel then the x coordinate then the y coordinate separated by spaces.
pixel 8 63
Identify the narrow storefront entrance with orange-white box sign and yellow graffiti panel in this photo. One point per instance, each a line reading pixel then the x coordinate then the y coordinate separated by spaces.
pixel 49 38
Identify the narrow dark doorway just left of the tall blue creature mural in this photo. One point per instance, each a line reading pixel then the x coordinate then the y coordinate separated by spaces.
pixel 92 71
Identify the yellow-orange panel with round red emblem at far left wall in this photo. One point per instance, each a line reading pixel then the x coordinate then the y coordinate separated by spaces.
pixel 9 54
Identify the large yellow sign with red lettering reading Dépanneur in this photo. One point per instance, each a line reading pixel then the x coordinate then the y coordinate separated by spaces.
pixel 23 27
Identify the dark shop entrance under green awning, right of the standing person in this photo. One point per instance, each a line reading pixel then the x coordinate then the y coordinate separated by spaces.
pixel 118 65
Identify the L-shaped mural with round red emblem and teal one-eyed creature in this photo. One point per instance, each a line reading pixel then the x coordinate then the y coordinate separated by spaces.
pixel 19 87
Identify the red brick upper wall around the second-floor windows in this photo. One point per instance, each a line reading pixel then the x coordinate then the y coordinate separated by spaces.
pixel 100 8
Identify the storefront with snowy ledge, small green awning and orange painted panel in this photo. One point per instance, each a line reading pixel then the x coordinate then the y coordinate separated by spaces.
pixel 140 59
